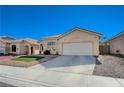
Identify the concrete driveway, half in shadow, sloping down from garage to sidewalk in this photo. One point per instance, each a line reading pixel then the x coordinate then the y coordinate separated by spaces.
pixel 69 64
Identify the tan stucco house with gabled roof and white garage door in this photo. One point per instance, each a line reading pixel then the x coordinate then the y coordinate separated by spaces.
pixel 75 42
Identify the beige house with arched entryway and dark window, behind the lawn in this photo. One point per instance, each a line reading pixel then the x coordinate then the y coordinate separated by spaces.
pixel 24 46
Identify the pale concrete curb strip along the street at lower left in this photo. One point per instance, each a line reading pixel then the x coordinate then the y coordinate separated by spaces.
pixel 23 82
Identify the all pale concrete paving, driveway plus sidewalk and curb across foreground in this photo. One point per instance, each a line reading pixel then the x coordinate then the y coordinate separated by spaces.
pixel 66 71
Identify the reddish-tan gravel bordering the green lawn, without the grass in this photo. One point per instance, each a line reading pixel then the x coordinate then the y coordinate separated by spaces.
pixel 12 62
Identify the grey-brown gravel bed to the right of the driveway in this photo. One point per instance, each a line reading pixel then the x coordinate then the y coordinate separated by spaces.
pixel 111 66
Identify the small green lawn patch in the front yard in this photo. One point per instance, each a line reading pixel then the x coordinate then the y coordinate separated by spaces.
pixel 27 58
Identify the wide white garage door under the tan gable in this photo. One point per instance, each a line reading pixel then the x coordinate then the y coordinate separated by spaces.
pixel 77 49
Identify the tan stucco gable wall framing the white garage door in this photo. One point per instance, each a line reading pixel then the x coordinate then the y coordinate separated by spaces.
pixel 80 36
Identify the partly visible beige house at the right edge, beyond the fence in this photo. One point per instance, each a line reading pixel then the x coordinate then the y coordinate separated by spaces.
pixel 117 44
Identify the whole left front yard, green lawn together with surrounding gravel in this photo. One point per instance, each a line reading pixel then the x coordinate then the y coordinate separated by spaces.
pixel 26 61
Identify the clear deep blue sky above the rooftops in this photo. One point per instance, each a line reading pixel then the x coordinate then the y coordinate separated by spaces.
pixel 40 21
